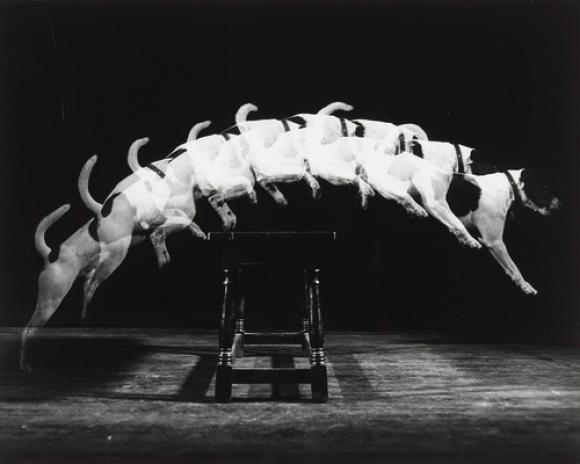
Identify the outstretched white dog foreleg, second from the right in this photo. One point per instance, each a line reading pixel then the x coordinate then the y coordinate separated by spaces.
pixel 436 205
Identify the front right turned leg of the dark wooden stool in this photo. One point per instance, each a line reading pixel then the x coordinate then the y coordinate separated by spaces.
pixel 319 382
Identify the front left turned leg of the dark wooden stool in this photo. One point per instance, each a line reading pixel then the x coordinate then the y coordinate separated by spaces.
pixel 223 386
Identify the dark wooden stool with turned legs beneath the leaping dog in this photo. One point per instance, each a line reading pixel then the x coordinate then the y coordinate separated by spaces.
pixel 240 249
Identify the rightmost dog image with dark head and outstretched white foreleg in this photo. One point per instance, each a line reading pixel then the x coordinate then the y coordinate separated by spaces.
pixel 482 203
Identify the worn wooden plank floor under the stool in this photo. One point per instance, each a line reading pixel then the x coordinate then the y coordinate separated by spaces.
pixel 144 396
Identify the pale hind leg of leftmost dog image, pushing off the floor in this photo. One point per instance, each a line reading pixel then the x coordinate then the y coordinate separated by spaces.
pixel 54 283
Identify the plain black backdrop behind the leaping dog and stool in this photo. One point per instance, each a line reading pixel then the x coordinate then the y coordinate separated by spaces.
pixel 79 78
